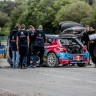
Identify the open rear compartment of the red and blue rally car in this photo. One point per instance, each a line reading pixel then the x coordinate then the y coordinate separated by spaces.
pixel 72 45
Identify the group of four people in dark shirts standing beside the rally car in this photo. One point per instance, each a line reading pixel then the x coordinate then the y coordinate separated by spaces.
pixel 23 42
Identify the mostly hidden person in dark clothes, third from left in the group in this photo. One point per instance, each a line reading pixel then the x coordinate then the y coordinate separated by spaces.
pixel 31 44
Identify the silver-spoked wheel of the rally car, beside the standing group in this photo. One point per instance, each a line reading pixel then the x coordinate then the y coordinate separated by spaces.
pixel 52 60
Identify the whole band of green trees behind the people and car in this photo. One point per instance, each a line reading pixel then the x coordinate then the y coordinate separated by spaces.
pixel 49 13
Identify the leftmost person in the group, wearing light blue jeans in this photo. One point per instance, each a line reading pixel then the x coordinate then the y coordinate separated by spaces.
pixel 15 53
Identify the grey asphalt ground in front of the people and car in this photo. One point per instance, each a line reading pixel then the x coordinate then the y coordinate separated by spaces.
pixel 61 81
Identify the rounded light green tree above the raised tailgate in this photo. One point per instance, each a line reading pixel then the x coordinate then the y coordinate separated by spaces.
pixel 74 12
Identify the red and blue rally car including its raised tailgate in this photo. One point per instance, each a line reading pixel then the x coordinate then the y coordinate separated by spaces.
pixel 67 47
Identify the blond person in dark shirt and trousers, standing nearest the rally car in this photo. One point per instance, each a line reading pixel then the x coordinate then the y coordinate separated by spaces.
pixel 39 40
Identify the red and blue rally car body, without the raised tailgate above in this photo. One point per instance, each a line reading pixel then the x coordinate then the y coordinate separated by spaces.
pixel 65 50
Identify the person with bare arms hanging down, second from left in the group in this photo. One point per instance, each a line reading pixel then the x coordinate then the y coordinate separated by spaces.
pixel 22 45
